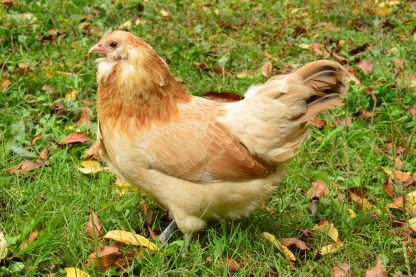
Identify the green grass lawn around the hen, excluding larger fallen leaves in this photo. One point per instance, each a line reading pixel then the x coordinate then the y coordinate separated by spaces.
pixel 239 35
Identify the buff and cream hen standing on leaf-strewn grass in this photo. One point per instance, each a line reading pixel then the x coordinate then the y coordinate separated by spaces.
pixel 202 159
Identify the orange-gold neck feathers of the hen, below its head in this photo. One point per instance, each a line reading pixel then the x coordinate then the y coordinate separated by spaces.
pixel 138 92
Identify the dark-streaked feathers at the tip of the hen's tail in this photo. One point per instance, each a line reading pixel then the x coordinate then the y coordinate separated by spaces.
pixel 329 82
